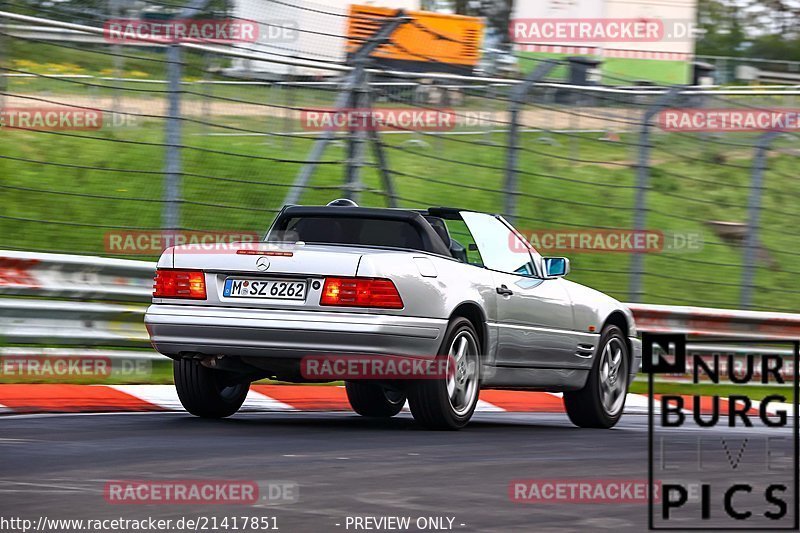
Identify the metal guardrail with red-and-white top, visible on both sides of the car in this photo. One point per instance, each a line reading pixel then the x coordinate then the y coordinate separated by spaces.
pixel 55 311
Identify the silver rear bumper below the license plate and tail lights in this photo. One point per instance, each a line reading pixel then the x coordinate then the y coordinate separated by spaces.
pixel 176 329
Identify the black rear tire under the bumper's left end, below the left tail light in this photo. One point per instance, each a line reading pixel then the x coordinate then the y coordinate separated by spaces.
pixel 201 392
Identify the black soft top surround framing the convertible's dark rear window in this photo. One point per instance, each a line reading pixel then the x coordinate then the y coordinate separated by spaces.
pixel 367 226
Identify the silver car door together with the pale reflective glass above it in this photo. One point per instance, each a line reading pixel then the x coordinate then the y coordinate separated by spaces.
pixel 535 323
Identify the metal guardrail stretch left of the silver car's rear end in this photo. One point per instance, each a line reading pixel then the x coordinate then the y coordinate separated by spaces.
pixel 68 300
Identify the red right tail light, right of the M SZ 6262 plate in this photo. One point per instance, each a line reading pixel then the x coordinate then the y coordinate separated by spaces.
pixel 361 292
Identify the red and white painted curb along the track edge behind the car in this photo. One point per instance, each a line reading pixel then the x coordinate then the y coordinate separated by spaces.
pixel 52 398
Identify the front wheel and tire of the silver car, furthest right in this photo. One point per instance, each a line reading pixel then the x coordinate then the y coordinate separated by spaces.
pixel 601 401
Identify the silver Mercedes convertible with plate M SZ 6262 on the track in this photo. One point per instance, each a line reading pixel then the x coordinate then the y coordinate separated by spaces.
pixel 461 287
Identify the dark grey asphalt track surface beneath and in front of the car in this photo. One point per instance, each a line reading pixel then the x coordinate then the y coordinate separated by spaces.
pixel 57 466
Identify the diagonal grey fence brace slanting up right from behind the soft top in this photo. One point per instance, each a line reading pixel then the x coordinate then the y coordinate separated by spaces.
pixel 361 59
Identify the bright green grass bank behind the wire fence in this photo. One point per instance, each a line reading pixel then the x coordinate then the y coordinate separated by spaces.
pixel 241 194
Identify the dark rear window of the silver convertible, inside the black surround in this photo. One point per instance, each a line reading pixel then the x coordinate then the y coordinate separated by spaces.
pixel 349 230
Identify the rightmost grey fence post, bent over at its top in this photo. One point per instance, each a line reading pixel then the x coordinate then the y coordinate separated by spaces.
pixel 750 258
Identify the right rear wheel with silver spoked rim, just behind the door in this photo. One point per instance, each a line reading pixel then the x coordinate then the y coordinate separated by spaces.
pixel 449 403
